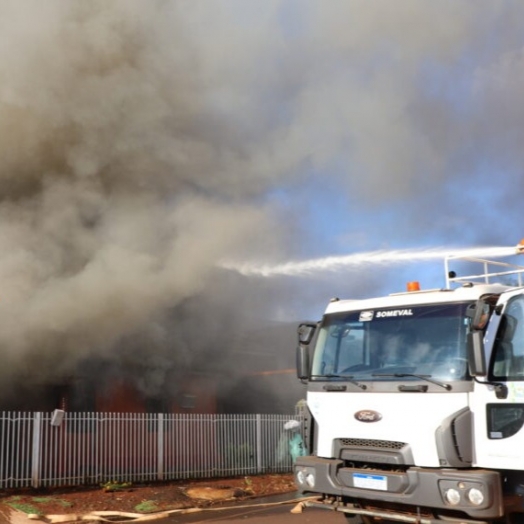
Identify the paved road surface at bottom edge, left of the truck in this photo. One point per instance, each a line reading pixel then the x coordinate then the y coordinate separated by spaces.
pixel 270 514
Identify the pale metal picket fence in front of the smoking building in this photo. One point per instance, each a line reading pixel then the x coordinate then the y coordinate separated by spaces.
pixel 41 449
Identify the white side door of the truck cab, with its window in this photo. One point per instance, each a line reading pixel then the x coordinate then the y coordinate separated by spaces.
pixel 498 401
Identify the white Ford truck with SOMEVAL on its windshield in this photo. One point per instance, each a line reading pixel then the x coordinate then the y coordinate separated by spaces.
pixel 415 401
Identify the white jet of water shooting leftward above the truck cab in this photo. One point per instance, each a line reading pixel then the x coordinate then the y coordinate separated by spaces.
pixel 355 260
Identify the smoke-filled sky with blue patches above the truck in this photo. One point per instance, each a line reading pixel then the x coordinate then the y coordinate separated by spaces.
pixel 150 150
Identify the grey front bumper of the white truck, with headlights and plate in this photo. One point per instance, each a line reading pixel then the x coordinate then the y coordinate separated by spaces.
pixel 415 487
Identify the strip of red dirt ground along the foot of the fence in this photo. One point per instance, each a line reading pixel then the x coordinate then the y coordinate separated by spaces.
pixel 145 498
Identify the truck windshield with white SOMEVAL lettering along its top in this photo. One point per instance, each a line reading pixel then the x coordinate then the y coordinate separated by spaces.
pixel 377 344
